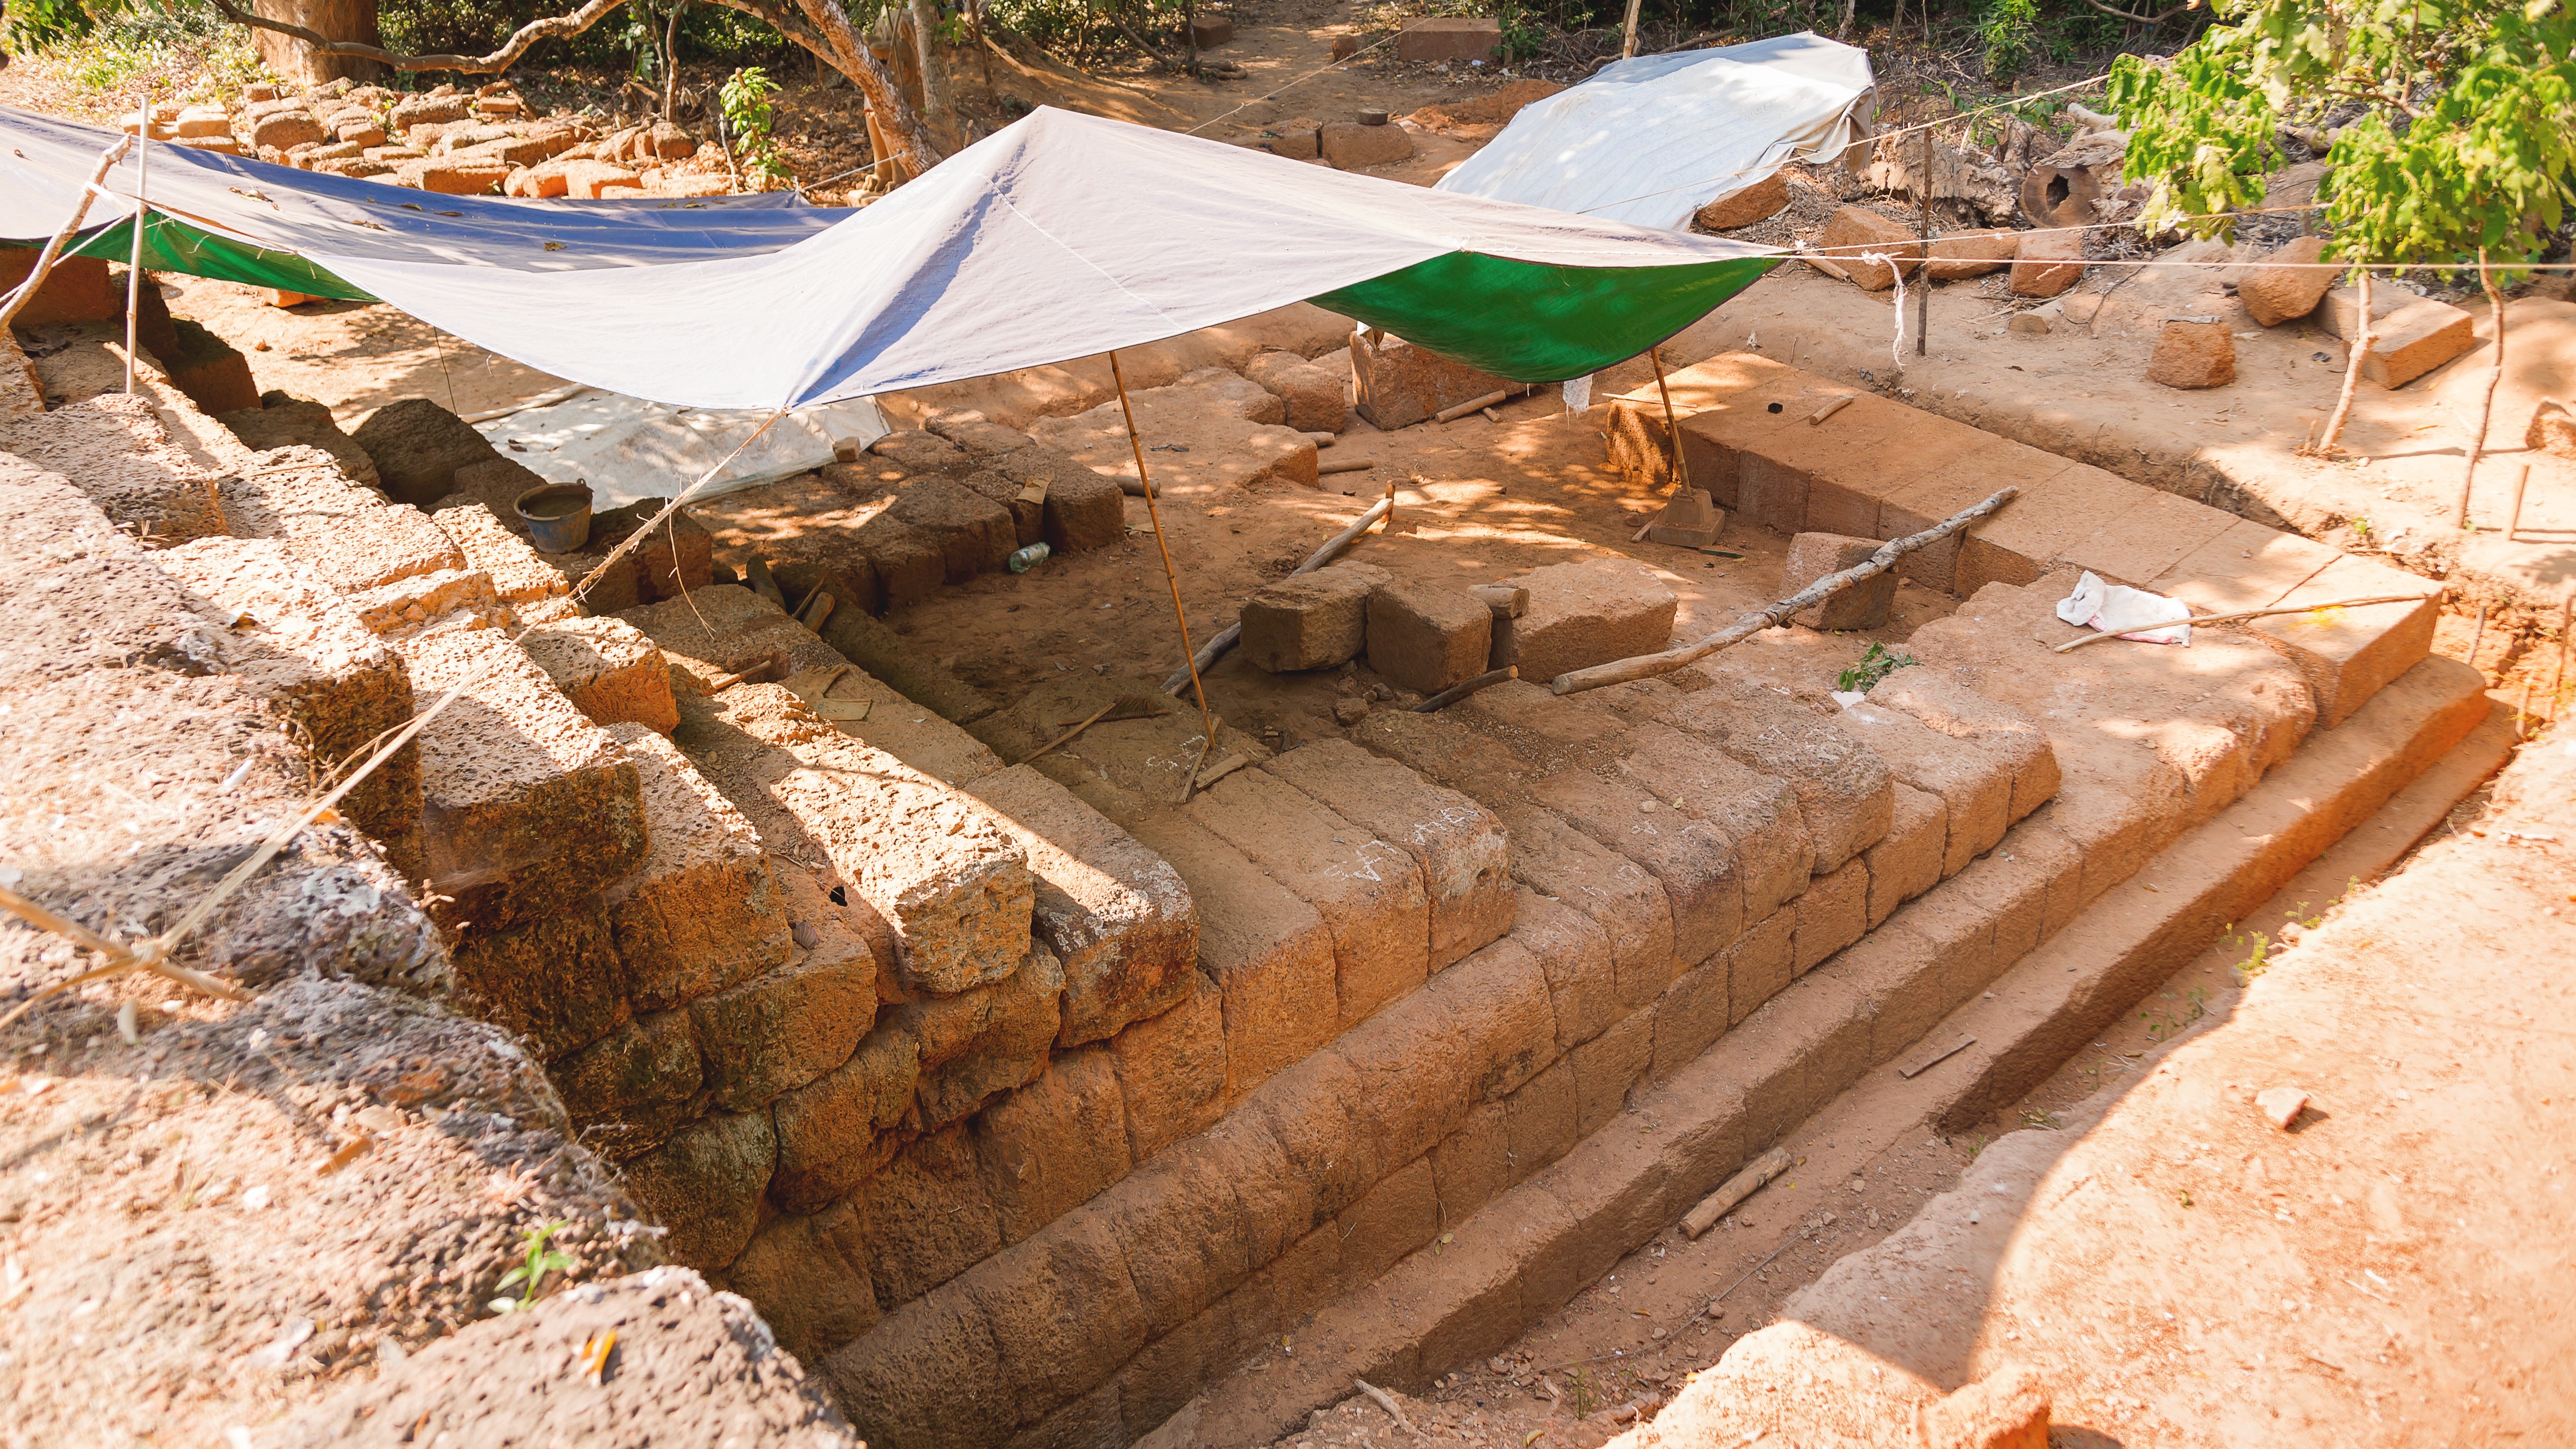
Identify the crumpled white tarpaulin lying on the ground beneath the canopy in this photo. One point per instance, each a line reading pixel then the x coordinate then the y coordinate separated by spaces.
pixel 630 450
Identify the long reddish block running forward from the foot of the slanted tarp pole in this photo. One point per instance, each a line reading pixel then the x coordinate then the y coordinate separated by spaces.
pixel 1369 893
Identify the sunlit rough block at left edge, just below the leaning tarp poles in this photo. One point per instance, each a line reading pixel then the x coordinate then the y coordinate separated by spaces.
pixel 122 458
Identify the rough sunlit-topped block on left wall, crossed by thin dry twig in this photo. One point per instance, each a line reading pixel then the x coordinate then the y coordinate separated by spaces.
pixel 287 638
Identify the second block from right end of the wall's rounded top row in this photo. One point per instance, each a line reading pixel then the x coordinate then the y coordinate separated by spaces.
pixel 1846 795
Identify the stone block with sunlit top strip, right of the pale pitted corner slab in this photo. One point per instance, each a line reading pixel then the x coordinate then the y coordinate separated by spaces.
pixel 1109 909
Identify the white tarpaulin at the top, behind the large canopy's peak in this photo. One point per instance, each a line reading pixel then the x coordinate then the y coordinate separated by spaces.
pixel 1655 138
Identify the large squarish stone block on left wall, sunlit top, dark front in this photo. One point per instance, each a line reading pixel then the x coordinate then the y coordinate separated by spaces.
pixel 527 806
